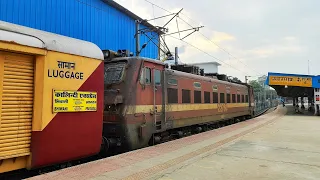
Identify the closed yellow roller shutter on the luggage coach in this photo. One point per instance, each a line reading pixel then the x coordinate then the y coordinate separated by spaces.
pixel 16 105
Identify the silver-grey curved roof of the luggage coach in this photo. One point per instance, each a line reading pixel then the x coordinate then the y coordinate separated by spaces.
pixel 40 39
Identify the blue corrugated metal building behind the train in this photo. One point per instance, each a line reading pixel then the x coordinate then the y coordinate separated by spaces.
pixel 102 22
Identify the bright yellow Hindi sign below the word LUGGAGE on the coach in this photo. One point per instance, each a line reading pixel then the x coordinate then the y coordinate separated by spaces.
pixel 74 101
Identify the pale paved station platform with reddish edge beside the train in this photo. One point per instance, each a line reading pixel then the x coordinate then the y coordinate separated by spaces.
pixel 277 145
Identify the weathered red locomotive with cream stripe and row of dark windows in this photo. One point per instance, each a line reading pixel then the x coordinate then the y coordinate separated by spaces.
pixel 146 103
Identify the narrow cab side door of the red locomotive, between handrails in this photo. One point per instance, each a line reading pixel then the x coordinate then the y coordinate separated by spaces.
pixel 158 97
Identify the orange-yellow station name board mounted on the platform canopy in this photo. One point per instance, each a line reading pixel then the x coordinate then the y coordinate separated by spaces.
pixel 290 81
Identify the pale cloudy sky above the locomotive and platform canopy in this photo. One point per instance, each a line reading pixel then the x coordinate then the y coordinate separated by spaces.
pixel 261 35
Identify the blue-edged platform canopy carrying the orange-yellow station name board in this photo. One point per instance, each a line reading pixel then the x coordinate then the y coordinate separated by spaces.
pixel 293 85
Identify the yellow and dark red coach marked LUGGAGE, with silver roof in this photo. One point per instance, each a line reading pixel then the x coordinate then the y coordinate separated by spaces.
pixel 51 90
